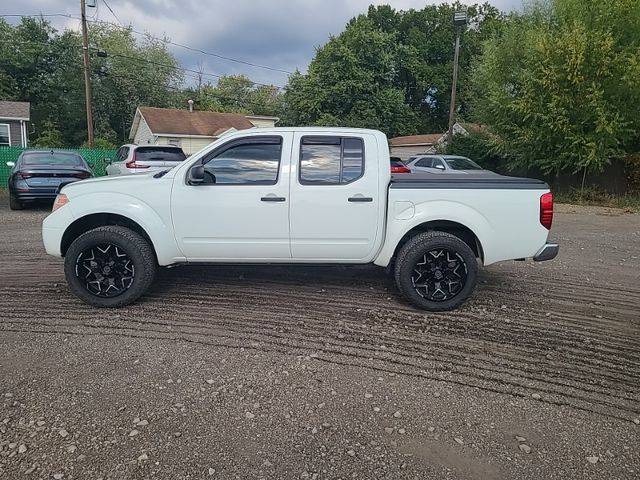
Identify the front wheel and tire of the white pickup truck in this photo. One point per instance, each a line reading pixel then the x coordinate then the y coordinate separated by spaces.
pixel 120 266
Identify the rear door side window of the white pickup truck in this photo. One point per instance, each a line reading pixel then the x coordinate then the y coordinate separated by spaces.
pixel 331 160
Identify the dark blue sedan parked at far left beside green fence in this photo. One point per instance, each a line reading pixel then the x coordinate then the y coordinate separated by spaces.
pixel 37 174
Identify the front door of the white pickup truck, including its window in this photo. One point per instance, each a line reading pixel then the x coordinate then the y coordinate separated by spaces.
pixel 241 212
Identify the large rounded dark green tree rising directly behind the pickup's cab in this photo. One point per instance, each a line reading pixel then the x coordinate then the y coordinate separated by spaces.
pixel 351 82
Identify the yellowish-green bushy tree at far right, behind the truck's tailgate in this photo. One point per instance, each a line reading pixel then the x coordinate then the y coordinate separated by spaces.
pixel 559 87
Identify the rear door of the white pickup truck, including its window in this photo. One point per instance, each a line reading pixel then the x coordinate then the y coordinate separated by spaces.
pixel 334 197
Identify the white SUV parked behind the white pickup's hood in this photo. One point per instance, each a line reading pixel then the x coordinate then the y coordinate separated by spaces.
pixel 132 159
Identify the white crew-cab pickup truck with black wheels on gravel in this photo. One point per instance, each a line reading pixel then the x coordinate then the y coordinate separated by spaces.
pixel 296 196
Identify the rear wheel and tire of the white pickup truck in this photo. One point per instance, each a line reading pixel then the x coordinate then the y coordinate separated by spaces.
pixel 436 271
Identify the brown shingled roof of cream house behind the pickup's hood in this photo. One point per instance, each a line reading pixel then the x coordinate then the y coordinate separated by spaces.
pixel 184 122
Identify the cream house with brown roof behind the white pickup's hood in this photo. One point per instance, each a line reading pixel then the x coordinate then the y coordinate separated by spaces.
pixel 189 129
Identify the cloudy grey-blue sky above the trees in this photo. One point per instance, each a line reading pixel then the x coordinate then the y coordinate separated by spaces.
pixel 280 34
